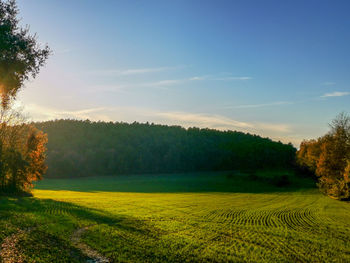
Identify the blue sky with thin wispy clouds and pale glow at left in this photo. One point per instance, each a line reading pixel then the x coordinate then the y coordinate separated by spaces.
pixel 279 69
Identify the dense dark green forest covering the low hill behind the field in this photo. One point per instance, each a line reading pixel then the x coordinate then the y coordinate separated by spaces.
pixel 84 148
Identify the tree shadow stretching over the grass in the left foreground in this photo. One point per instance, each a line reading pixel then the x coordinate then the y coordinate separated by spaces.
pixel 50 224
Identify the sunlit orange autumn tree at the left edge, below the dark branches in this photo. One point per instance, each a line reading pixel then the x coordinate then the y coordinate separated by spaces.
pixel 22 153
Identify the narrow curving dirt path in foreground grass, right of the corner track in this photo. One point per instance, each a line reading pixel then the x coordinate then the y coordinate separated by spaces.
pixel 94 256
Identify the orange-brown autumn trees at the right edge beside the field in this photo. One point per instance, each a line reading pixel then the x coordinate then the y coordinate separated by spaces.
pixel 328 158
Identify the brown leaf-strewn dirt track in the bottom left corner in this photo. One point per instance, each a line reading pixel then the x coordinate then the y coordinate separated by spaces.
pixel 9 252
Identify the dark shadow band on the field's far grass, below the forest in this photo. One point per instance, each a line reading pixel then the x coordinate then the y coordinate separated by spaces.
pixel 179 183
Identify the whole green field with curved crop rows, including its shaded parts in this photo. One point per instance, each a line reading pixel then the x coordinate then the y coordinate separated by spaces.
pixel 208 217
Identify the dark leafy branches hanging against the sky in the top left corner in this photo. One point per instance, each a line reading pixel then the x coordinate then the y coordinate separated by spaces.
pixel 20 54
